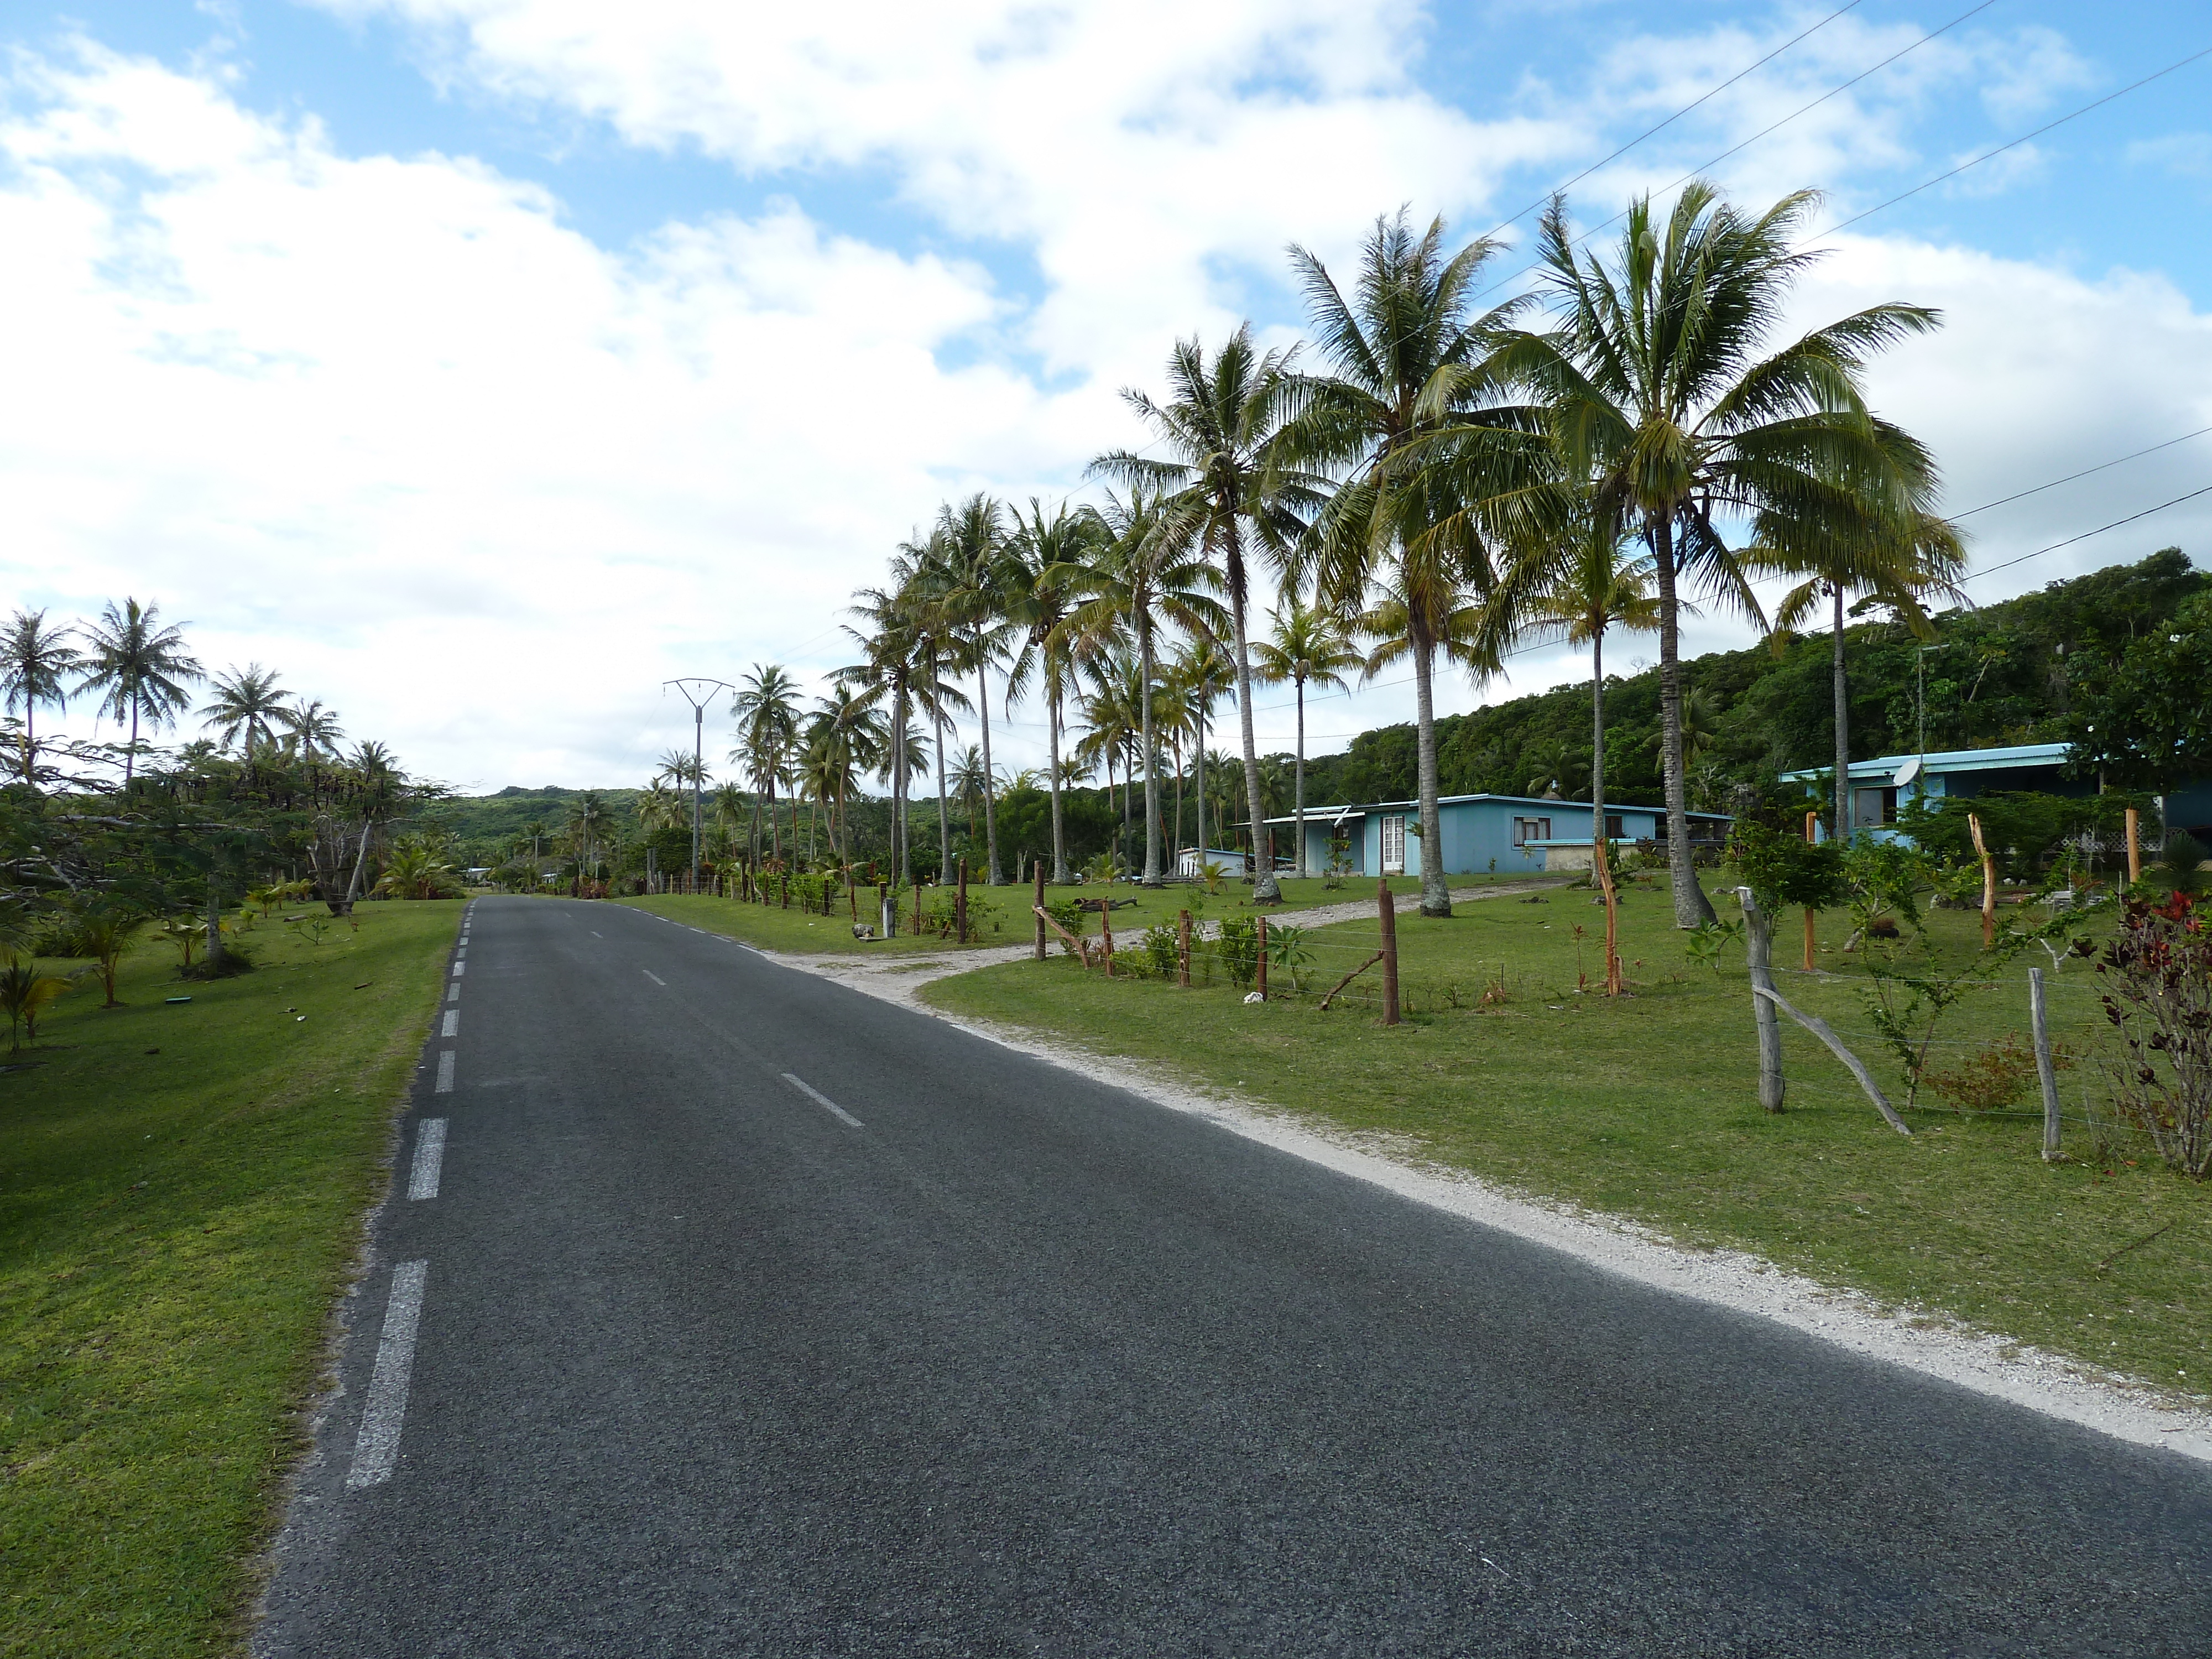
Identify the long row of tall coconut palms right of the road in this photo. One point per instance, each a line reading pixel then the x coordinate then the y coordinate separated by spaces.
pixel 1430 481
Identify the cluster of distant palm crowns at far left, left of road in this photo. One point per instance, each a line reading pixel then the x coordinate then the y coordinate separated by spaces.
pixel 138 671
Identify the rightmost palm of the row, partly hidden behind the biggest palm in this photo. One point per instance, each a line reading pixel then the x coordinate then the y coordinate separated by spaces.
pixel 1886 570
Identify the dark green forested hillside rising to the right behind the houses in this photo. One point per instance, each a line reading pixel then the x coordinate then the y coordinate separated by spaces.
pixel 2003 674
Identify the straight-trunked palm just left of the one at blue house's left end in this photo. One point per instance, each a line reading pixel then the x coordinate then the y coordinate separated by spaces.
pixel 1147 570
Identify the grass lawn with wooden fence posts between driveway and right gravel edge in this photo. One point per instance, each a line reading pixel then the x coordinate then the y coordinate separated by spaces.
pixel 1647 1107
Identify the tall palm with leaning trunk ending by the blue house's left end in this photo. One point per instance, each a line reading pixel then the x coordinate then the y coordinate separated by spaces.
pixel 1242 497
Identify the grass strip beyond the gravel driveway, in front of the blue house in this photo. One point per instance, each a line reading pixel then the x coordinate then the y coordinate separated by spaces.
pixel 1005 912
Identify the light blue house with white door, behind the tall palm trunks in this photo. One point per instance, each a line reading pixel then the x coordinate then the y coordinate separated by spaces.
pixel 1510 833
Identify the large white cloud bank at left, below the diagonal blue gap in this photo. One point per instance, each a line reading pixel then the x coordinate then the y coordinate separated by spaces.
pixel 457 470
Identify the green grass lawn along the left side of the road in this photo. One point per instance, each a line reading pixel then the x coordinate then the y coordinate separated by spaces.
pixel 180 1200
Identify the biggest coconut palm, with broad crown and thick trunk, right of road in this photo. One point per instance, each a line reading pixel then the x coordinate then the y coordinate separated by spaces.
pixel 1667 393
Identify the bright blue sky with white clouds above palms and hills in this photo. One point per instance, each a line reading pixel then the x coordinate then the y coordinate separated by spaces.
pixel 444 351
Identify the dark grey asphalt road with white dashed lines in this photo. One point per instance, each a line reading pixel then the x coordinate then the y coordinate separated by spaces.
pixel 1023 1366
